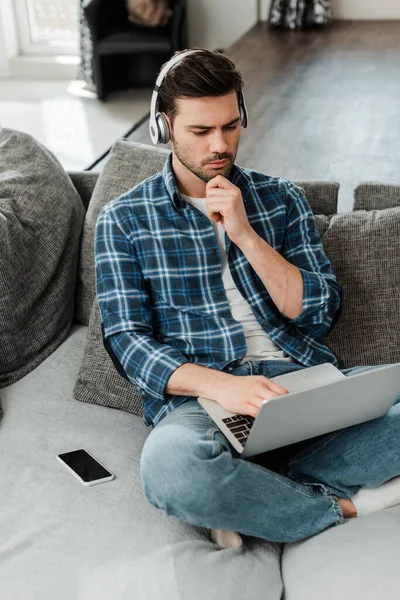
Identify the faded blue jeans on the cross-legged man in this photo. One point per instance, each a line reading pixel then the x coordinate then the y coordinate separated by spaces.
pixel 190 470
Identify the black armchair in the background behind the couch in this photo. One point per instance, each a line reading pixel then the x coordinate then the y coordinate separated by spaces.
pixel 126 55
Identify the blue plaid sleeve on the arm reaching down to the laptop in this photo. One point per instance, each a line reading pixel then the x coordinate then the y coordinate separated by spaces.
pixel 123 298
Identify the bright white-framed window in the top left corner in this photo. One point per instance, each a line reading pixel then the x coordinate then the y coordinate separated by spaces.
pixel 48 26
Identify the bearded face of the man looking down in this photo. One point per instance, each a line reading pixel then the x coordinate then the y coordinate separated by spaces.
pixel 206 130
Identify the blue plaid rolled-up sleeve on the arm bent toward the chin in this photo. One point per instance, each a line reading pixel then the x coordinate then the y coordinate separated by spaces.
pixel 322 294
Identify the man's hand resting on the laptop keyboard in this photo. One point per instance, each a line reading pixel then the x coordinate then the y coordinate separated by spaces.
pixel 245 394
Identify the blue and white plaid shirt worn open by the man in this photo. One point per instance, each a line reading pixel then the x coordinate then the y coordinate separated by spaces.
pixel 160 291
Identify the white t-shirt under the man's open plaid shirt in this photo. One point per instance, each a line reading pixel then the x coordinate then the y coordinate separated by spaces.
pixel 259 344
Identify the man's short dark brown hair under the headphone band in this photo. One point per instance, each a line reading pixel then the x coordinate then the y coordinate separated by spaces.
pixel 198 75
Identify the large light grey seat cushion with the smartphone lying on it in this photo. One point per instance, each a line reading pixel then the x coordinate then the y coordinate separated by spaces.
pixel 62 540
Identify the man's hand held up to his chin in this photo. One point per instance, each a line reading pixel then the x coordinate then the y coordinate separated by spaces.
pixel 225 206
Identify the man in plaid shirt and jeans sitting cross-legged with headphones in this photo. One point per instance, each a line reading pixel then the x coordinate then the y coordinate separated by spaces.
pixel 211 279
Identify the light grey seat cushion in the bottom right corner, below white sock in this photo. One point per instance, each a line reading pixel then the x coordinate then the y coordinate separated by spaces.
pixel 357 560
